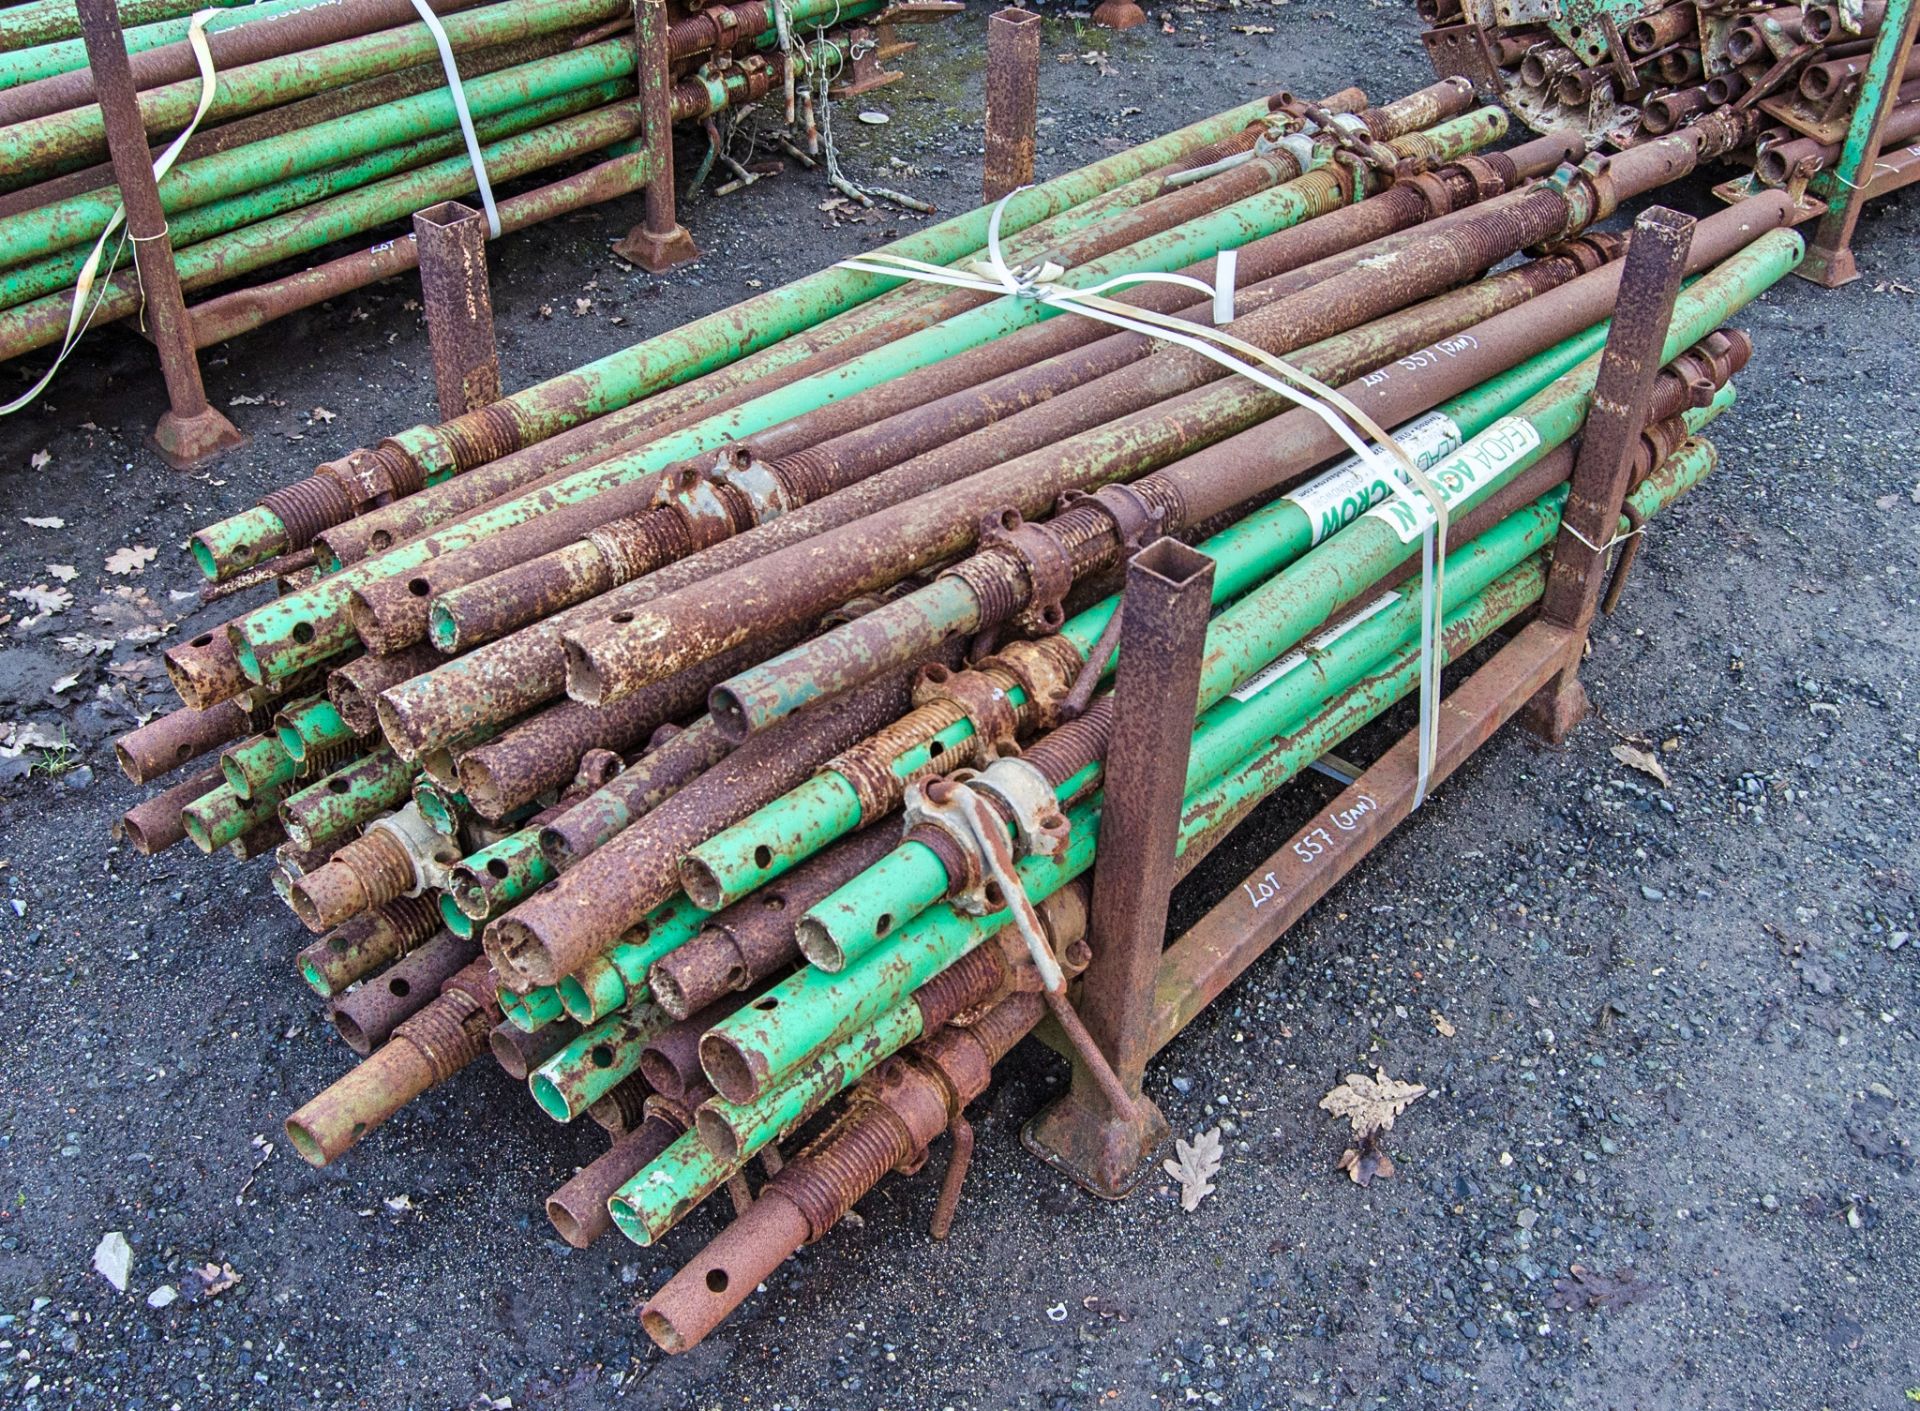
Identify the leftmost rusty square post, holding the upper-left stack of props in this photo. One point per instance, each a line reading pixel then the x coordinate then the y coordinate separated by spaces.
pixel 191 433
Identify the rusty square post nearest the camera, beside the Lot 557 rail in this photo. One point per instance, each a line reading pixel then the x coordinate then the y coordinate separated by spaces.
pixel 1163 636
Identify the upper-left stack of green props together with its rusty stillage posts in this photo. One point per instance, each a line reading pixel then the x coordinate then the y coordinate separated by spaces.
pixel 293 126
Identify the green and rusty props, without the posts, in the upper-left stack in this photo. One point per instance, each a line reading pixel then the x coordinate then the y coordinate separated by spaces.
pixel 345 128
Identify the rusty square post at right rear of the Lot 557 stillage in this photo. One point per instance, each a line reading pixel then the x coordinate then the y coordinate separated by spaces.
pixel 1650 283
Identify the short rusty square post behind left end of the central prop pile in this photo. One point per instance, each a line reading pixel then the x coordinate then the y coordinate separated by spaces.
pixel 460 306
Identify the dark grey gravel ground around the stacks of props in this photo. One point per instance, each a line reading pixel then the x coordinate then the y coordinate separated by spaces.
pixel 1666 1032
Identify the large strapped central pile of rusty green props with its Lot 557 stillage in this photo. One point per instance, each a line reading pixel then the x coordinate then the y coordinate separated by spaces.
pixel 723 734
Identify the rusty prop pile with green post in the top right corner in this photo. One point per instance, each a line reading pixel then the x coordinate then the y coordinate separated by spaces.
pixel 1833 89
